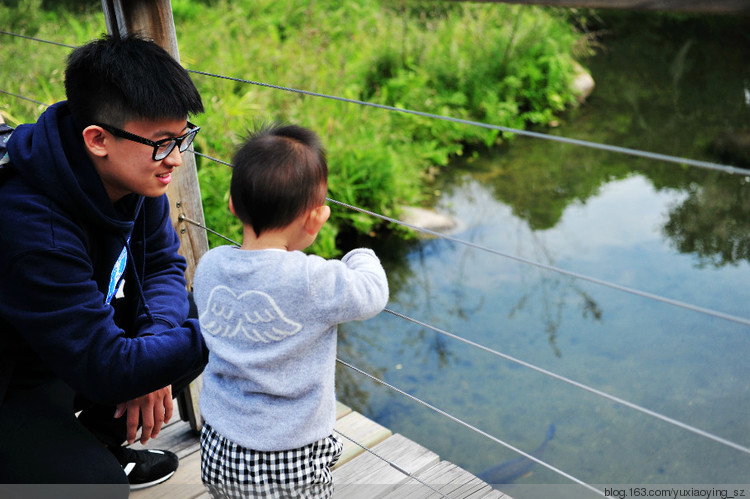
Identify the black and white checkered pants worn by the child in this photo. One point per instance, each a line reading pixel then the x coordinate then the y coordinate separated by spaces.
pixel 231 471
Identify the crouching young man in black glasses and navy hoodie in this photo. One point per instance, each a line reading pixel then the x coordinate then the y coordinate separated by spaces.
pixel 83 216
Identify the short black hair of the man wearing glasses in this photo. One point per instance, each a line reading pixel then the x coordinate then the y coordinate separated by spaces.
pixel 117 79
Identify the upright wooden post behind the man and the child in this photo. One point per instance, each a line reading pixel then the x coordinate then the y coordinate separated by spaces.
pixel 153 18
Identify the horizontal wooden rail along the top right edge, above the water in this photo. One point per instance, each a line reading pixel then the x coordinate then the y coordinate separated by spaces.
pixel 696 6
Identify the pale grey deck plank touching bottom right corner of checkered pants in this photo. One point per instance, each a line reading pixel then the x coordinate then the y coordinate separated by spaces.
pixel 369 475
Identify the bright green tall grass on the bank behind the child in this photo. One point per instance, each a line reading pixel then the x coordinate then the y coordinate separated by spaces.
pixel 500 64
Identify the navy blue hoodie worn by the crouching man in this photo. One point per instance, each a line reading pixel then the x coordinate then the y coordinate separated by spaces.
pixel 64 250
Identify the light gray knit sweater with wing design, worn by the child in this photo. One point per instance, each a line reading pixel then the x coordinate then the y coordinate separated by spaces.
pixel 269 319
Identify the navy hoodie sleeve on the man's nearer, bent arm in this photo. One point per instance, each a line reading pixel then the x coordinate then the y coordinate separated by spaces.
pixel 49 299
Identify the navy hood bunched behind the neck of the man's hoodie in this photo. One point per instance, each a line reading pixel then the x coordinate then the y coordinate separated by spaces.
pixel 50 156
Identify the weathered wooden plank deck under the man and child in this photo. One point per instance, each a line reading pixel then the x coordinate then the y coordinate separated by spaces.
pixel 359 474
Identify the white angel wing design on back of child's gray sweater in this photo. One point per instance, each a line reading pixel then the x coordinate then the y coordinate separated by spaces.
pixel 253 314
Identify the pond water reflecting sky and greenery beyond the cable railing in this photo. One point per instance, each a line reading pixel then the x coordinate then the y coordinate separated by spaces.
pixel 674 87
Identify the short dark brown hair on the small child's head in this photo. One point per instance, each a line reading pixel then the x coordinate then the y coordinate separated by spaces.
pixel 279 173
